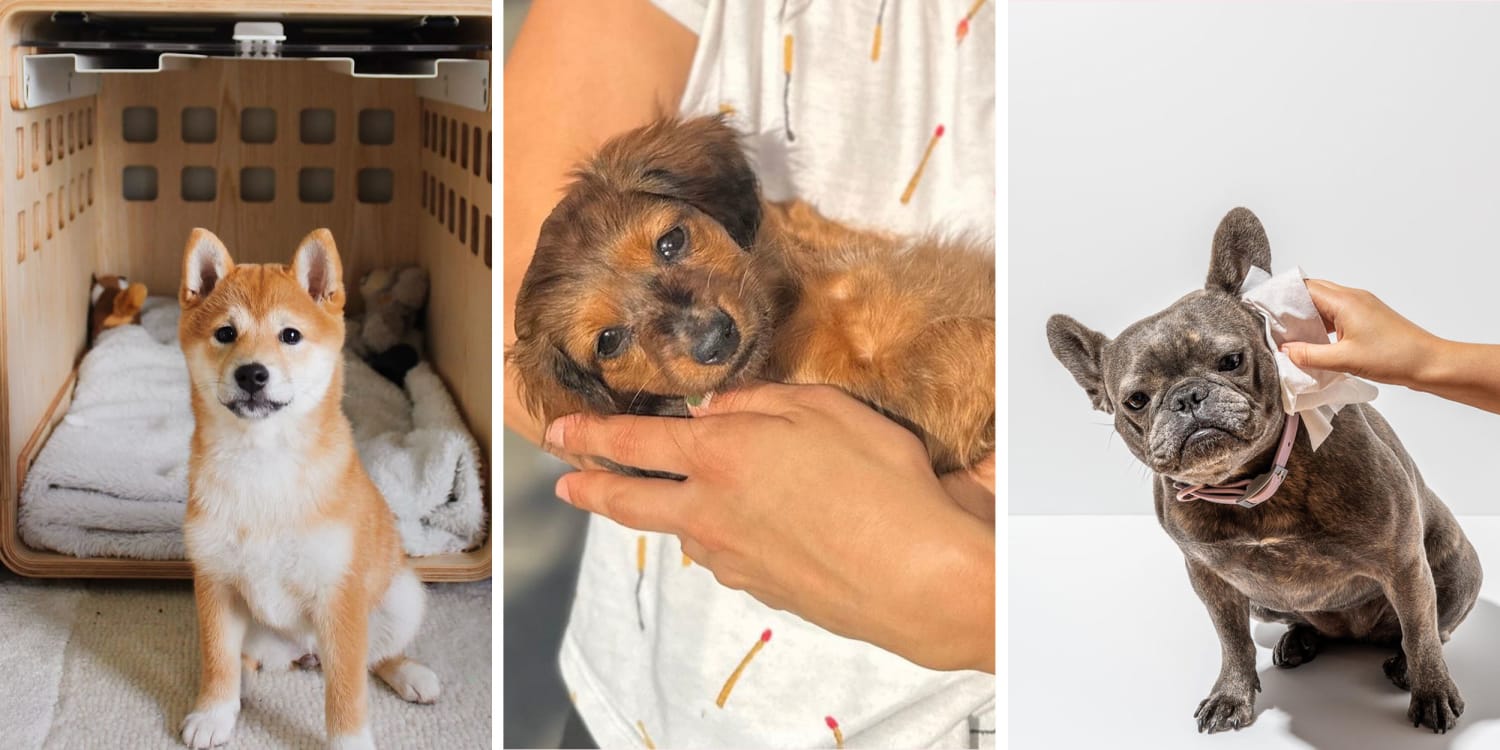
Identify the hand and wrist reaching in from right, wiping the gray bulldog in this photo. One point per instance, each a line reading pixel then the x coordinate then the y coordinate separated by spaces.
pixel 1378 344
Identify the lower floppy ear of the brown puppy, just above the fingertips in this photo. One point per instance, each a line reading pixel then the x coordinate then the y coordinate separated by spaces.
pixel 554 385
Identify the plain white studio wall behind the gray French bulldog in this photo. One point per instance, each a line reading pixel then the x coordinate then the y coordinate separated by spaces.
pixel 1366 137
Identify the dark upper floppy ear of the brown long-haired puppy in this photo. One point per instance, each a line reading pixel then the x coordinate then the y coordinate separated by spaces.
pixel 698 163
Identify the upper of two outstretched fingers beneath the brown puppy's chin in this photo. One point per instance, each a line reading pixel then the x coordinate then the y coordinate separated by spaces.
pixel 649 443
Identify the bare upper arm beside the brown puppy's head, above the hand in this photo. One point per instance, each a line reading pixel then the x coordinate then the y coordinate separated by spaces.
pixel 578 74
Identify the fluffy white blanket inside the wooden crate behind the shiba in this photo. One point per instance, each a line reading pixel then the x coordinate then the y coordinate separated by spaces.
pixel 113 478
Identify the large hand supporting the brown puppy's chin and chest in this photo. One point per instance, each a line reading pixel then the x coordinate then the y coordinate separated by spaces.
pixel 812 503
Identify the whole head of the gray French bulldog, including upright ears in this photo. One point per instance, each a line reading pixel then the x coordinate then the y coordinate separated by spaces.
pixel 1193 389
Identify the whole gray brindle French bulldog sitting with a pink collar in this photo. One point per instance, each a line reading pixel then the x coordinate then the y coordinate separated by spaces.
pixel 1354 547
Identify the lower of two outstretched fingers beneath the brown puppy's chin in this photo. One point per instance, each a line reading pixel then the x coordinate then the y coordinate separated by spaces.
pixel 646 505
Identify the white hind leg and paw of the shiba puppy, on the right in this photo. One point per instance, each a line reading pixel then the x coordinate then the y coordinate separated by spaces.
pixel 394 625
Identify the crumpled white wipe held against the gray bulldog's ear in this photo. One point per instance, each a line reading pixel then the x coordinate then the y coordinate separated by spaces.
pixel 1285 304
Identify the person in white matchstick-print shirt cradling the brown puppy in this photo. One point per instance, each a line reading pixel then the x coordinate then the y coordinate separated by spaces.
pixel 812 581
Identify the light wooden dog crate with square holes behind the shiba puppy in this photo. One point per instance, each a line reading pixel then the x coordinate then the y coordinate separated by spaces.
pixel 106 170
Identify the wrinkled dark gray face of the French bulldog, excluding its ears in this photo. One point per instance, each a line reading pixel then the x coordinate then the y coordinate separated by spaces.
pixel 1195 389
